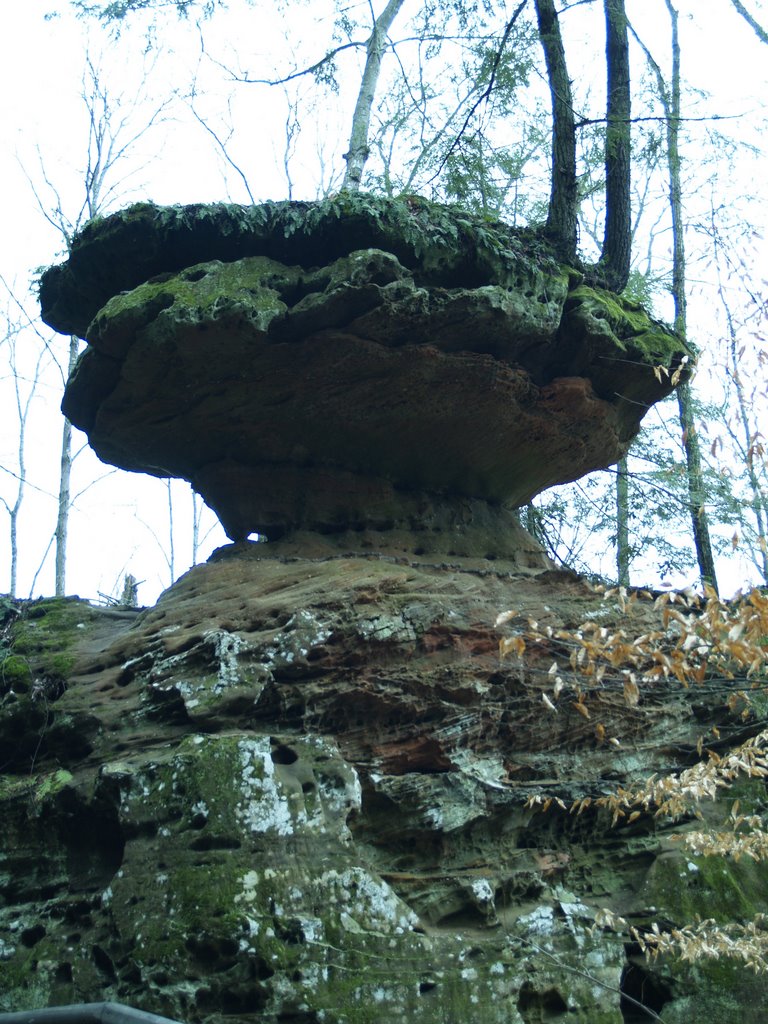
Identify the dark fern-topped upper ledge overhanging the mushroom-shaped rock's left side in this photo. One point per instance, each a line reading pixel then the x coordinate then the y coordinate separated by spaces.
pixel 443 245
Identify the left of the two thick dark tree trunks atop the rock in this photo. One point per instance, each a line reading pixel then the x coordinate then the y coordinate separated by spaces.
pixel 564 204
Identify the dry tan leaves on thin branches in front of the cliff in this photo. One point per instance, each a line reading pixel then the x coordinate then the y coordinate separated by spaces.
pixel 698 642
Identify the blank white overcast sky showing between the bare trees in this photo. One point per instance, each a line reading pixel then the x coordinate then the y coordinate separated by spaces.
pixel 121 524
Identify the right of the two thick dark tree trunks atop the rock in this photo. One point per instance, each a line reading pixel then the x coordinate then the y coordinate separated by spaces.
pixel 615 260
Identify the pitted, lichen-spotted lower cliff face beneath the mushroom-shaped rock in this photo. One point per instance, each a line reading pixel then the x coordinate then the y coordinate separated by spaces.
pixel 296 789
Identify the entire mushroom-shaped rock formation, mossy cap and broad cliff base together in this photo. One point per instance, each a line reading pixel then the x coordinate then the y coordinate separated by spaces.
pixel 297 789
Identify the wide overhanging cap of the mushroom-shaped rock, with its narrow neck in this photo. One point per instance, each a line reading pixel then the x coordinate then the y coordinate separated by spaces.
pixel 349 365
